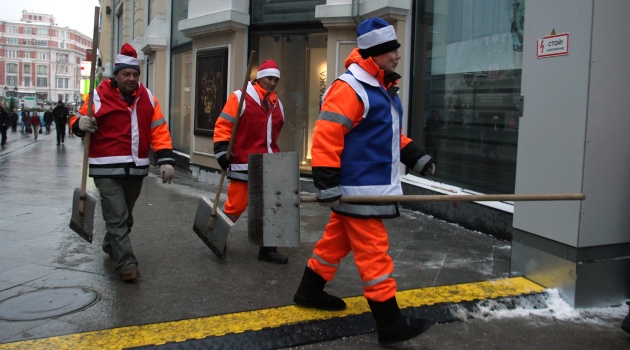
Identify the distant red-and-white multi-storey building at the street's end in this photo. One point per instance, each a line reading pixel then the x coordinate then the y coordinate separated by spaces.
pixel 40 62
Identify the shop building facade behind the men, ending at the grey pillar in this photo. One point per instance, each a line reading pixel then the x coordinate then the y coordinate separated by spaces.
pixel 460 67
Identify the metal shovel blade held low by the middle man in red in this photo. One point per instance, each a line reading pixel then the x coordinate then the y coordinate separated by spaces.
pixel 213 235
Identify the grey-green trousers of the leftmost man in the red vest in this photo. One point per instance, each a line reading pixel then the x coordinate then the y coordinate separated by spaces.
pixel 118 196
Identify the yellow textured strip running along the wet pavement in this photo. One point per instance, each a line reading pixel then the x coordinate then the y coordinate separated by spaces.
pixel 199 328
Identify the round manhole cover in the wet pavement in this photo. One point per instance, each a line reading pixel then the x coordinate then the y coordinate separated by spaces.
pixel 46 303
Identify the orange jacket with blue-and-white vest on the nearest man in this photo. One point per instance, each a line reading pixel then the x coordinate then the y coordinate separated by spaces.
pixel 358 141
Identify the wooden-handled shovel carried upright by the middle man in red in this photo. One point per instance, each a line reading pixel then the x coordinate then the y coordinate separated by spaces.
pixel 211 224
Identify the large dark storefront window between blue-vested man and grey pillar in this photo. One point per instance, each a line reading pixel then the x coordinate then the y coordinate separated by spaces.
pixel 465 90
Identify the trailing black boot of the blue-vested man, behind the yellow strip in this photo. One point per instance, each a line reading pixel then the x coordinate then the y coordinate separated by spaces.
pixel 311 293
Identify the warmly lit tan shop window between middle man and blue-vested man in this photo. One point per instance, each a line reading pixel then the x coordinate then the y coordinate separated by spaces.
pixel 301 58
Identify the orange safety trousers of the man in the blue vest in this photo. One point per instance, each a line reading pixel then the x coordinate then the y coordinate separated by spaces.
pixel 367 239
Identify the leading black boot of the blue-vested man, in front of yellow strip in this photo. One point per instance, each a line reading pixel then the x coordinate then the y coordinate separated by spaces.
pixel 392 326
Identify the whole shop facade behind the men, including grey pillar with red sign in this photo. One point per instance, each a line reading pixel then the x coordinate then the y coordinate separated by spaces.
pixel 470 71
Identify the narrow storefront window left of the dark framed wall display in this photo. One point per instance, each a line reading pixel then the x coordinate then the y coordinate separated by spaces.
pixel 180 109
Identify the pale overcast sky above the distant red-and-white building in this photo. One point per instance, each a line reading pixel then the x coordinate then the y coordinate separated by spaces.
pixel 76 14
